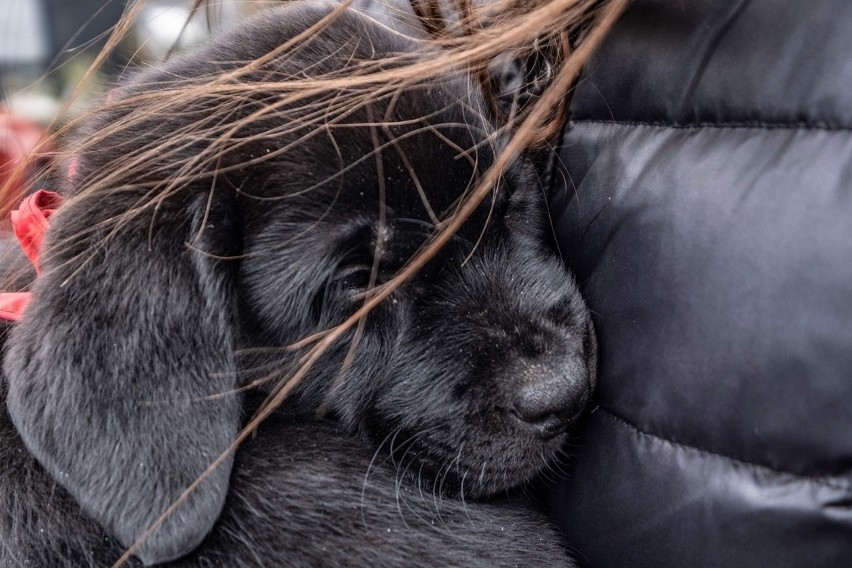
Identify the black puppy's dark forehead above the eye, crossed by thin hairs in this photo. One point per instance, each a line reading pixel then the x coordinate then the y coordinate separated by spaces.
pixel 417 159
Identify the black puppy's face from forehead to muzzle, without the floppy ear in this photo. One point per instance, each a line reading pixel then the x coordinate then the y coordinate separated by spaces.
pixel 476 369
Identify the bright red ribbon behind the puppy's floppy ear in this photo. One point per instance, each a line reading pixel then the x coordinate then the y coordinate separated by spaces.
pixel 30 223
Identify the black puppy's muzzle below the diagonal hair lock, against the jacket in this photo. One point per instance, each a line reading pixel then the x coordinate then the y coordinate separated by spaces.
pixel 494 356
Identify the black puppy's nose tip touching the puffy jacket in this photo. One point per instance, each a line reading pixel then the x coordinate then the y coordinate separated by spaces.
pixel 552 396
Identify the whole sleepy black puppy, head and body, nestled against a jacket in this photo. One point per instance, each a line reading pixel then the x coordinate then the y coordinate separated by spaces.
pixel 167 289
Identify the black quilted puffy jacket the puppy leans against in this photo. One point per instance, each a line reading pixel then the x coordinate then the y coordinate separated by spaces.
pixel 706 207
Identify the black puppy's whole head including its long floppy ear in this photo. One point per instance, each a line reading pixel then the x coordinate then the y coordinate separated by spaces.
pixel 125 371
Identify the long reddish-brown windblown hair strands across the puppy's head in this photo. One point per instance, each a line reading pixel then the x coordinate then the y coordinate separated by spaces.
pixel 226 111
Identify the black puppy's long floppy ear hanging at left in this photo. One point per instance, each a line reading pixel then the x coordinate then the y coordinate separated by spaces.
pixel 115 367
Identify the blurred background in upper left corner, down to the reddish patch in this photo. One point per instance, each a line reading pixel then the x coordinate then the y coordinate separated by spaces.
pixel 46 47
